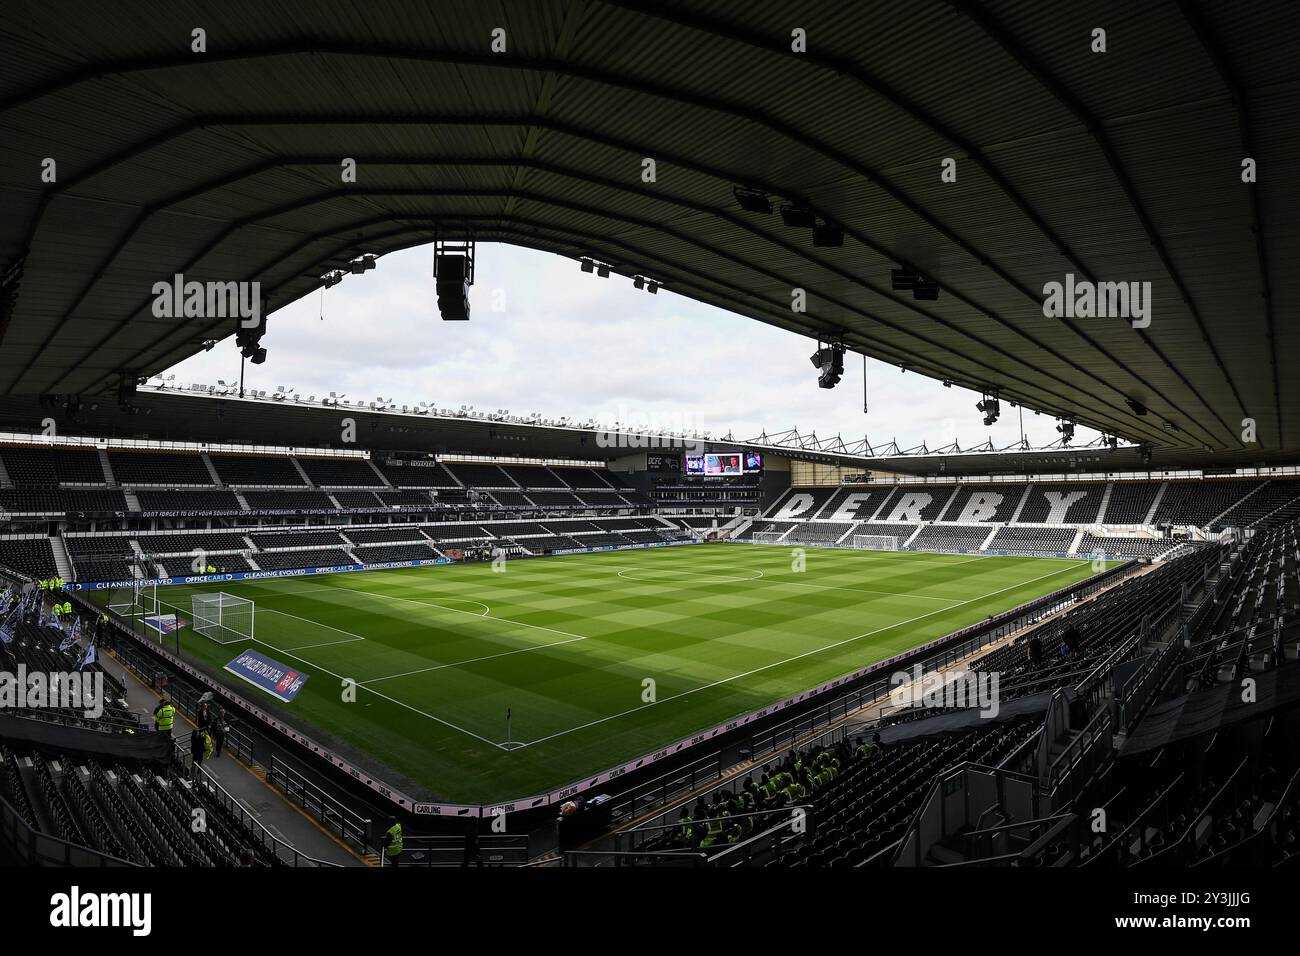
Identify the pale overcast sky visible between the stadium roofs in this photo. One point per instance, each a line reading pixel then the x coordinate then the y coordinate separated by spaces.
pixel 567 343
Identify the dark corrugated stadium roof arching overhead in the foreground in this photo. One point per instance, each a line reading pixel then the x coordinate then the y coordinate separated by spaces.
pixel 1124 166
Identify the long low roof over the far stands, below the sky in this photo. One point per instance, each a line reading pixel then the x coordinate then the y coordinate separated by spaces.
pixel 207 416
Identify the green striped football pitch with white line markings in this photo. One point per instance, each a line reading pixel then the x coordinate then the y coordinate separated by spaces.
pixel 600 657
